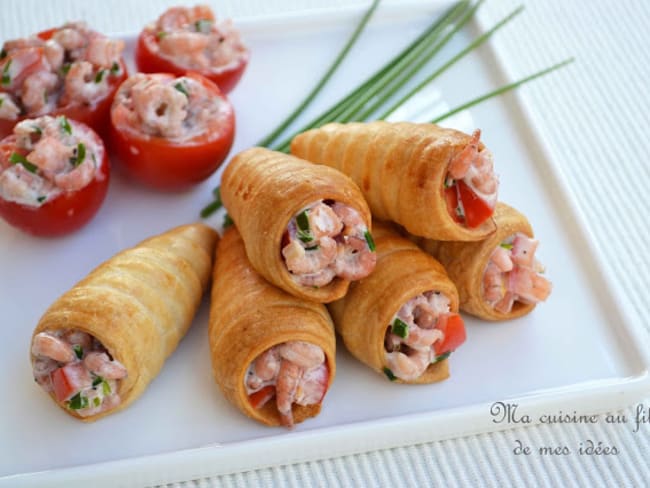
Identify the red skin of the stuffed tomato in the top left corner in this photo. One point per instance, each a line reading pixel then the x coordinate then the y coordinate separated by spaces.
pixel 96 116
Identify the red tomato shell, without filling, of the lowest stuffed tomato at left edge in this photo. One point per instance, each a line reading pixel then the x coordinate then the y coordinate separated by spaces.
pixel 66 212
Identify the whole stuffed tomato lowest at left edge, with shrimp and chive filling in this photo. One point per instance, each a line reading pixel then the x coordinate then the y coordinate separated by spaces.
pixel 54 175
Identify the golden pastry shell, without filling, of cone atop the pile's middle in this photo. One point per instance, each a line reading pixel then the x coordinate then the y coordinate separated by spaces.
pixel 263 190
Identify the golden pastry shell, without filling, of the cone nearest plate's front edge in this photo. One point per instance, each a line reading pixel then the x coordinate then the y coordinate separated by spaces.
pixel 248 315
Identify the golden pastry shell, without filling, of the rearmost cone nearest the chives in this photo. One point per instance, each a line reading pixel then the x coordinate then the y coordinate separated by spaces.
pixel 400 168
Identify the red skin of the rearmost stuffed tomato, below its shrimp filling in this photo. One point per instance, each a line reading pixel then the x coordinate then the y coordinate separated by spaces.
pixel 149 62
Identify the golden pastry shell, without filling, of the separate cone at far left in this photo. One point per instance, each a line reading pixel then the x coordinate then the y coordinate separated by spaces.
pixel 139 304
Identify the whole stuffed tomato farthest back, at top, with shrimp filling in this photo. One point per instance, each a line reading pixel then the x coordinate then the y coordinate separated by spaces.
pixel 190 39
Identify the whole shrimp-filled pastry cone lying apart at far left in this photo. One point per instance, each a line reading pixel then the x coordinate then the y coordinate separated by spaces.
pixel 99 345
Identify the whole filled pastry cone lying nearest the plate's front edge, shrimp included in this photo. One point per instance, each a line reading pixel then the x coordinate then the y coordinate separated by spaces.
pixel 273 354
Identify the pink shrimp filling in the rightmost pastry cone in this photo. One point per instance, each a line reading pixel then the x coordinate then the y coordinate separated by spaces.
pixel 513 274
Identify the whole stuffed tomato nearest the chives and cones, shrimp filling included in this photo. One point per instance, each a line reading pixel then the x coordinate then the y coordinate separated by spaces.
pixel 171 132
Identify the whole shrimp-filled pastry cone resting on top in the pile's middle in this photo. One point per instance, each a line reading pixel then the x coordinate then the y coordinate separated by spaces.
pixel 306 228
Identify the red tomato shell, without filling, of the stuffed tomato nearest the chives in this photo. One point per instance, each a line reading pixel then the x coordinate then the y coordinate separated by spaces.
pixel 168 165
